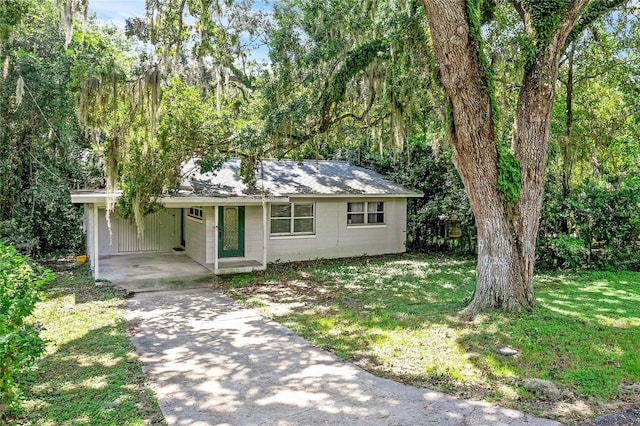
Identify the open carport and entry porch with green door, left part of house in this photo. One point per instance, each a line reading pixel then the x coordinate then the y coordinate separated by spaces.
pixel 188 227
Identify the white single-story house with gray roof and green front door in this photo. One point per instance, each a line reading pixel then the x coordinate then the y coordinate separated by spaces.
pixel 296 211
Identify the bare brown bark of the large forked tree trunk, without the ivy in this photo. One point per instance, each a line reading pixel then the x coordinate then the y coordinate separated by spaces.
pixel 507 231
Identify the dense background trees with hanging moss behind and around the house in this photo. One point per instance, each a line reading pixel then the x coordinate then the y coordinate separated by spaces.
pixel 86 104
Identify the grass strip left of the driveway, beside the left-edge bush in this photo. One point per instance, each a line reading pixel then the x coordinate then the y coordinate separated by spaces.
pixel 90 373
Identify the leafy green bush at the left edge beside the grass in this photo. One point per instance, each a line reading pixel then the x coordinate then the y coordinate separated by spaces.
pixel 20 343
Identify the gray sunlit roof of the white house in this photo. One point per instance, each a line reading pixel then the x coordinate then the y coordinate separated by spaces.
pixel 290 178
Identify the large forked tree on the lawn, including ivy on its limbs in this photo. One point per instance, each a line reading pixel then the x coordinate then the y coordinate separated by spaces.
pixel 504 183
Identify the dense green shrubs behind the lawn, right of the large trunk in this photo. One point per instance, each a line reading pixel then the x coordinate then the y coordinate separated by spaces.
pixel 600 216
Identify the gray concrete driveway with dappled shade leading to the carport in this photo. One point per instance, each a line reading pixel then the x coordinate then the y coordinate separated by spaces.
pixel 213 362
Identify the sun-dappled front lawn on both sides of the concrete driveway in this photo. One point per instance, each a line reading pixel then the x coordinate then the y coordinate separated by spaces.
pixel 395 316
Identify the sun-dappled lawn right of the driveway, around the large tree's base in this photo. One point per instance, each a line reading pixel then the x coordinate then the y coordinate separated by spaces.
pixel 397 317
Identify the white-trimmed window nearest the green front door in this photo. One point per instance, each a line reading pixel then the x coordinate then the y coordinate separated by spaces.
pixel 292 219
